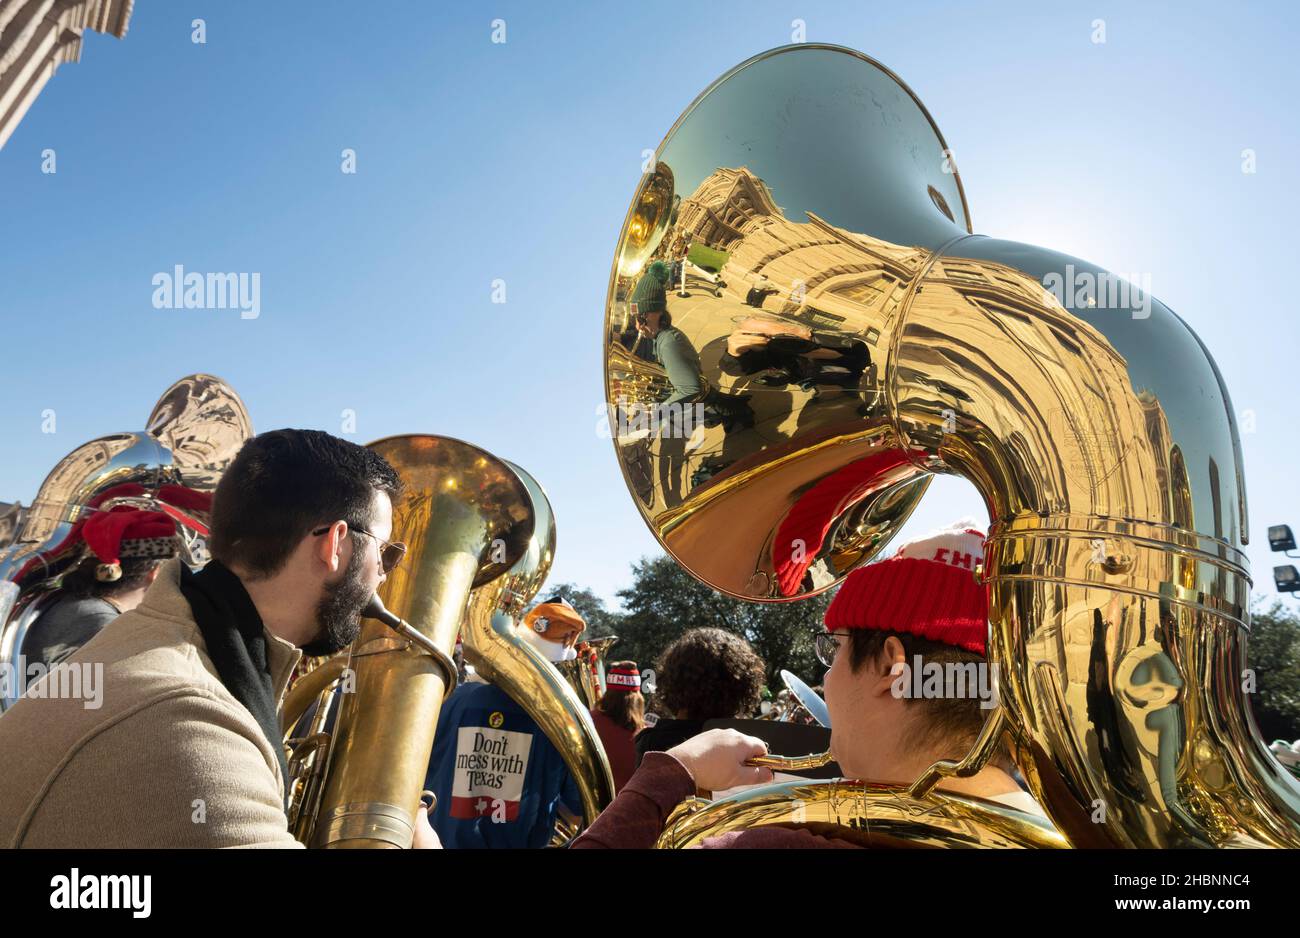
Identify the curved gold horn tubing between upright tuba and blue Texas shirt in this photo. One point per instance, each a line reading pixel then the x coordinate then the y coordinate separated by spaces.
pixel 495 648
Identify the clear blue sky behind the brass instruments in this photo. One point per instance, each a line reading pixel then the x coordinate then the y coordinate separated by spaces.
pixel 518 162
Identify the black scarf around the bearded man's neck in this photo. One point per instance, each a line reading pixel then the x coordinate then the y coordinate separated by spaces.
pixel 237 645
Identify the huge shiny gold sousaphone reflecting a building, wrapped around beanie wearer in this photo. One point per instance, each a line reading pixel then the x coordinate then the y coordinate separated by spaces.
pixel 879 342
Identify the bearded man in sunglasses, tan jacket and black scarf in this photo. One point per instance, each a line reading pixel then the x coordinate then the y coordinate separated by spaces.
pixel 184 748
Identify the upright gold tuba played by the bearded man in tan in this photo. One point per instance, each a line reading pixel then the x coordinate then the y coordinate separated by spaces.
pixel 467 519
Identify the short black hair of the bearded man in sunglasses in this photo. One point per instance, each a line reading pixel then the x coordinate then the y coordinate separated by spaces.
pixel 283 485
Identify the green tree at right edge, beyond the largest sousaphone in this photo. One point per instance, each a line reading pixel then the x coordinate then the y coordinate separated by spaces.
pixel 1273 653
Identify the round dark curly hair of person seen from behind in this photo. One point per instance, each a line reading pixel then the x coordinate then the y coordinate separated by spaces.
pixel 710 675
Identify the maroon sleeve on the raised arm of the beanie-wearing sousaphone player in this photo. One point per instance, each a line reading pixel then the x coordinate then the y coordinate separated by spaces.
pixel 636 818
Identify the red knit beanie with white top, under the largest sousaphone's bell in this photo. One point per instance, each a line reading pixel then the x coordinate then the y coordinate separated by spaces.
pixel 928 589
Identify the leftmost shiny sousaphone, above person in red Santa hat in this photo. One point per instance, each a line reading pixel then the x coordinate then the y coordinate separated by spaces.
pixel 192 436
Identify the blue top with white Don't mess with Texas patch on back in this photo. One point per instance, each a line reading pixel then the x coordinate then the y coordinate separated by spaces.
pixel 499 779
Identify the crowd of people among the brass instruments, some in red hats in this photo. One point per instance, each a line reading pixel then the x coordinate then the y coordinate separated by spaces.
pixel 188 750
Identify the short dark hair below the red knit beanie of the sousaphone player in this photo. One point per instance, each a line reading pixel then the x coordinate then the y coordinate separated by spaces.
pixel 950 723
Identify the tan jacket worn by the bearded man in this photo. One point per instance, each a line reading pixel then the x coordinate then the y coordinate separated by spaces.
pixel 170 759
